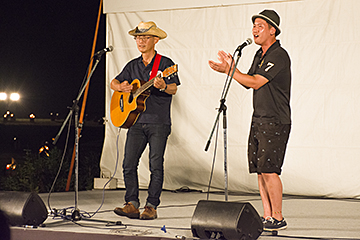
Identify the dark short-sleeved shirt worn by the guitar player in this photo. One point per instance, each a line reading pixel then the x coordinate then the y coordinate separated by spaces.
pixel 158 103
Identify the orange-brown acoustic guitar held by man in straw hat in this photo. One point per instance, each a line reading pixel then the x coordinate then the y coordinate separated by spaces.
pixel 125 108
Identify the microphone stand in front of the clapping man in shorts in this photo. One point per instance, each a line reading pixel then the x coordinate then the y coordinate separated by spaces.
pixel 222 109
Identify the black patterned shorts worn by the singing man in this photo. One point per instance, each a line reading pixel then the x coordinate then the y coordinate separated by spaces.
pixel 267 145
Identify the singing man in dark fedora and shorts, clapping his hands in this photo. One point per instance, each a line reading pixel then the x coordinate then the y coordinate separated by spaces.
pixel 270 78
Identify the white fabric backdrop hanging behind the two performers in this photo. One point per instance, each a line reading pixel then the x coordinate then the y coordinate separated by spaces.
pixel 322 38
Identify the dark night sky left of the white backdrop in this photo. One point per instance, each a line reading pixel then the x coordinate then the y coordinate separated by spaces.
pixel 45 49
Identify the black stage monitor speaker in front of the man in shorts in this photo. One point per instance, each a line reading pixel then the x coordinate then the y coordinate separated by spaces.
pixel 225 220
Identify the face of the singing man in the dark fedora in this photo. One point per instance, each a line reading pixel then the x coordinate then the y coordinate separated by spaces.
pixel 262 31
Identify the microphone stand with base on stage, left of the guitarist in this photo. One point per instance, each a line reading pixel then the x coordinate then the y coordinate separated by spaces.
pixel 76 216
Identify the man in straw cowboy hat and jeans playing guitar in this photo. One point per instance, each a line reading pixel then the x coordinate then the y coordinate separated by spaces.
pixel 153 126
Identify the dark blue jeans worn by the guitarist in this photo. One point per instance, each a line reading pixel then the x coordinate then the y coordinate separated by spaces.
pixel 138 136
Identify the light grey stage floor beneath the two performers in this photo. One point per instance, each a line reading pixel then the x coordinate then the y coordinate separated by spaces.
pixel 308 218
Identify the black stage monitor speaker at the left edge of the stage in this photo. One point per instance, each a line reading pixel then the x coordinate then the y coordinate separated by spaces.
pixel 23 208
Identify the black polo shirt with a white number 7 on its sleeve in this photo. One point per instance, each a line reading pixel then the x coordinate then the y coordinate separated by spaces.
pixel 271 102
